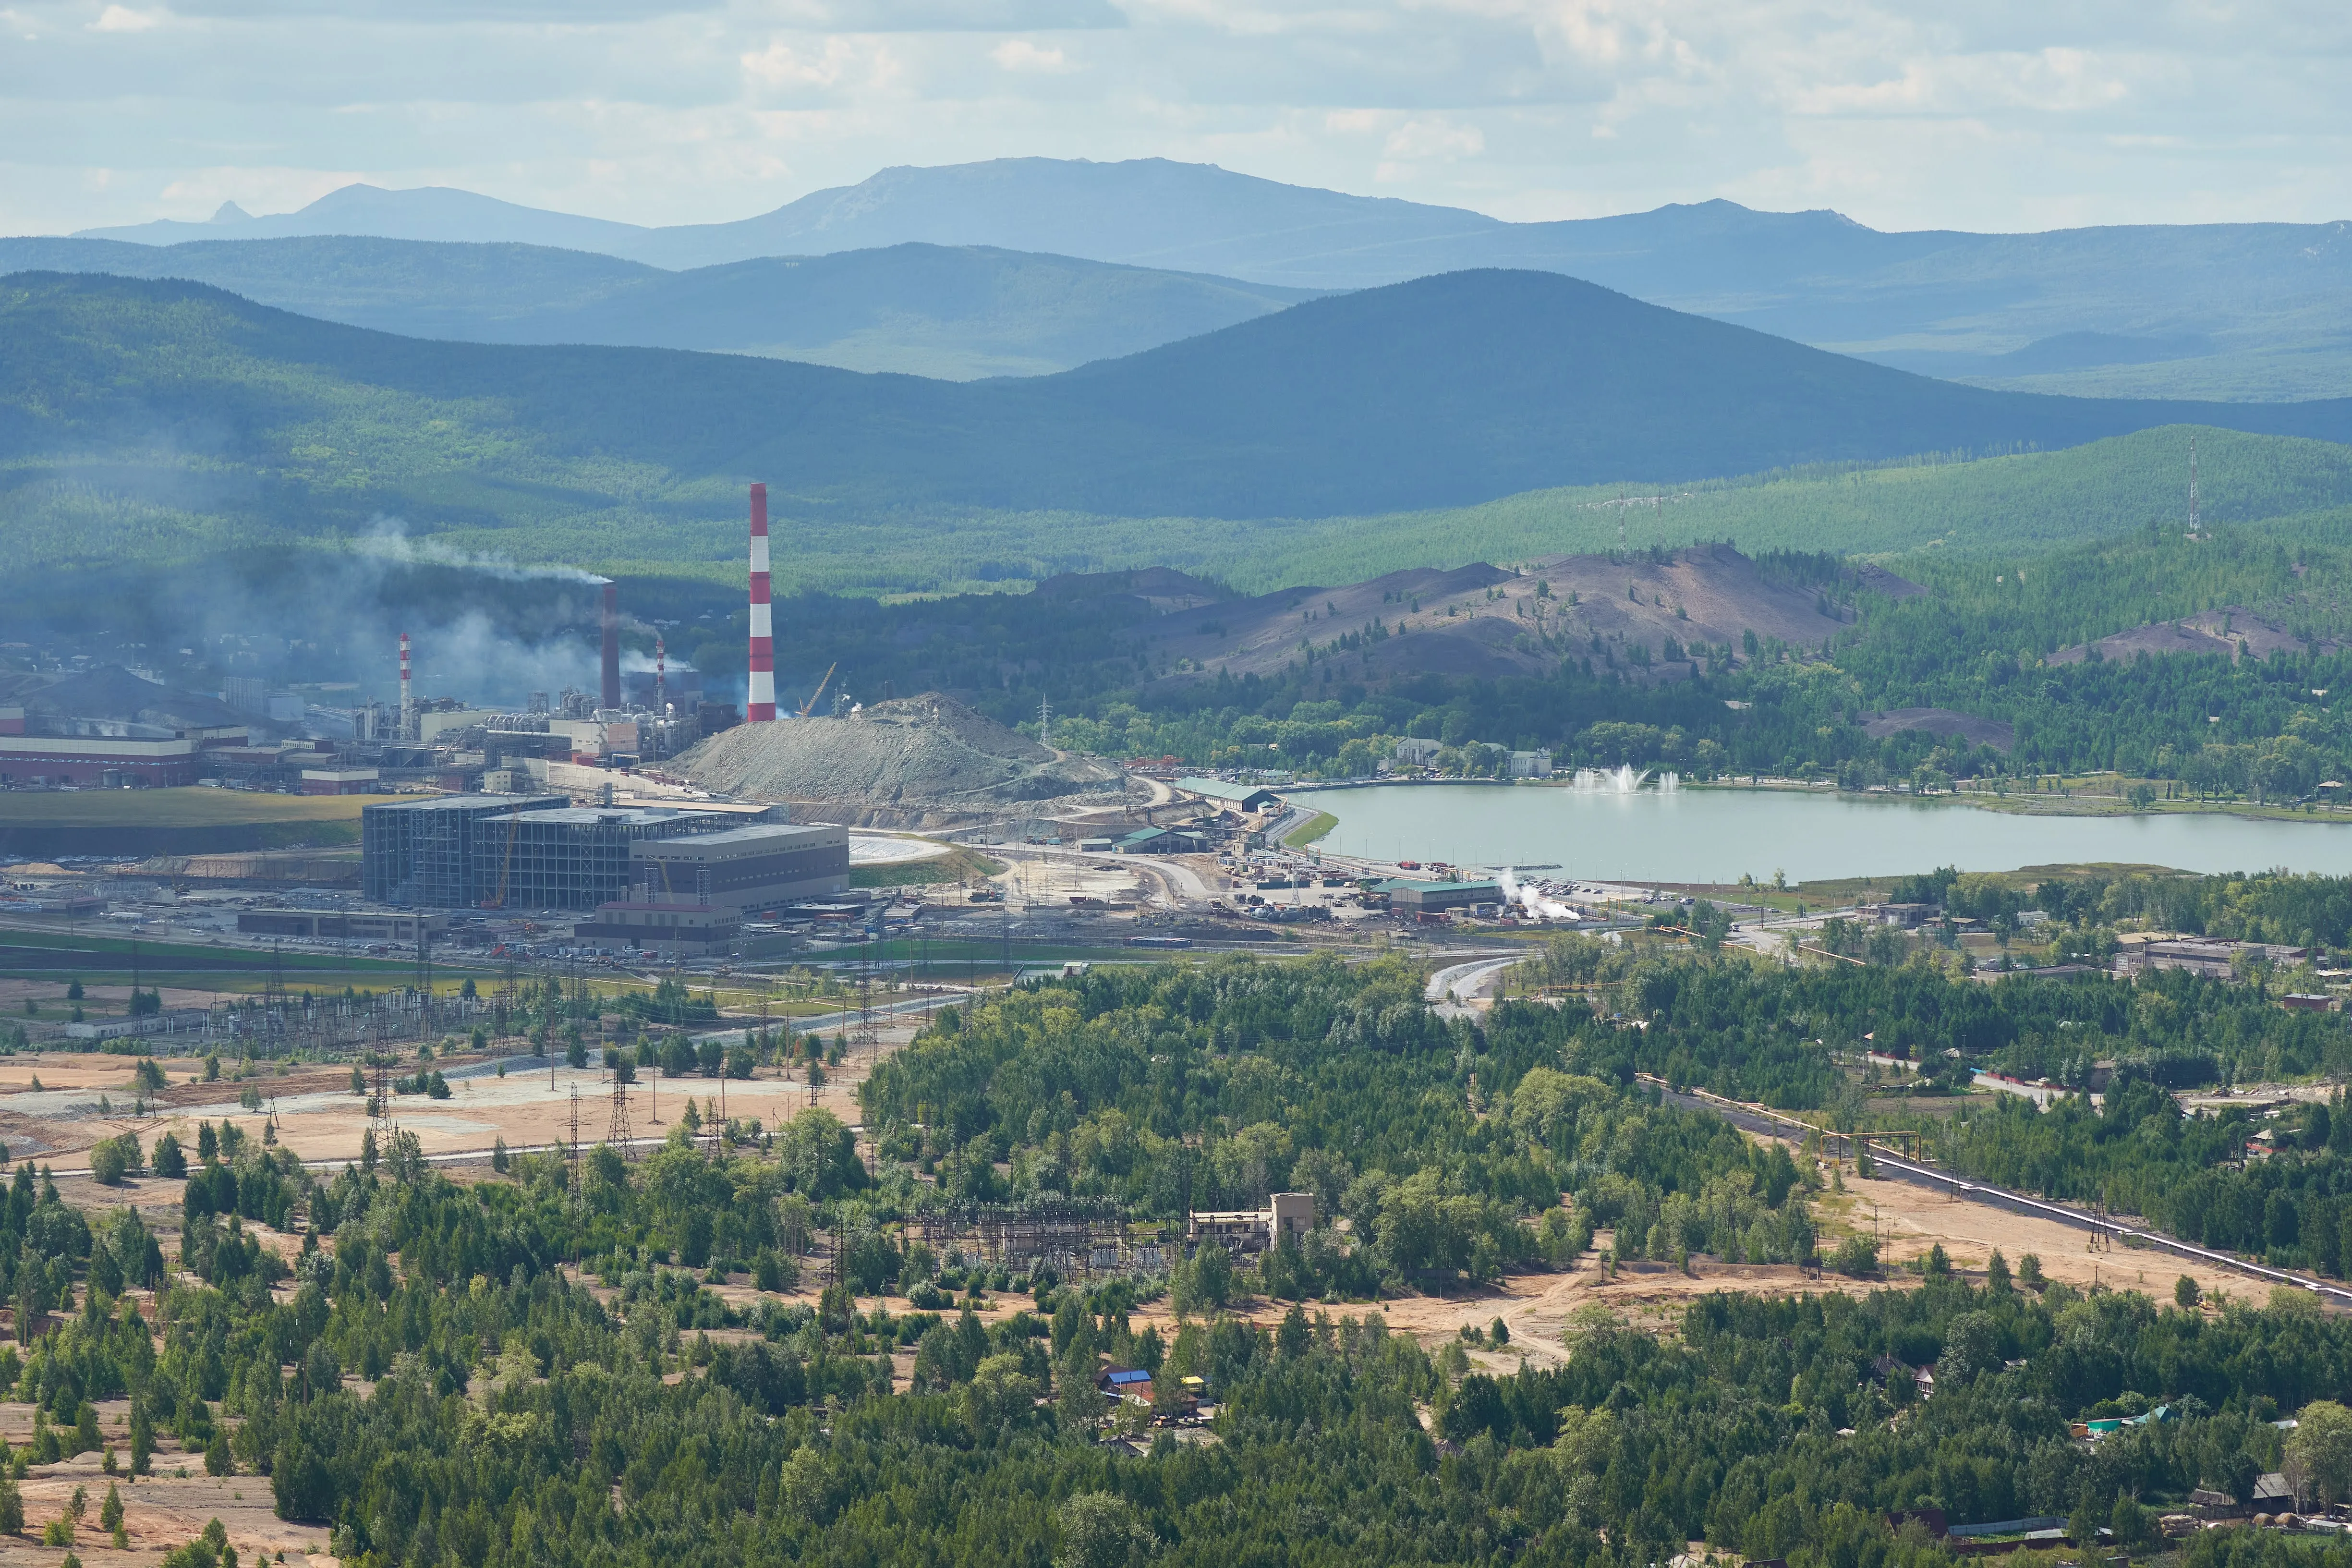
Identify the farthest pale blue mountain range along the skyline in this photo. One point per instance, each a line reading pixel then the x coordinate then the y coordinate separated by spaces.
pixel 2245 311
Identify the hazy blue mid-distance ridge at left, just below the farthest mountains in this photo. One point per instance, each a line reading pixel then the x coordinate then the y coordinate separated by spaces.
pixel 923 309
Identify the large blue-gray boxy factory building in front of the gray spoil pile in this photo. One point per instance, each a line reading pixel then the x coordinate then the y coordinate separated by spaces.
pixel 547 855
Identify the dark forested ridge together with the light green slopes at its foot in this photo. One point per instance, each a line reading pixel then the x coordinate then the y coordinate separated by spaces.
pixel 1332 441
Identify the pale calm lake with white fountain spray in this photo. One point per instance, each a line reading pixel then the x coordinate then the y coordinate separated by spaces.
pixel 1713 836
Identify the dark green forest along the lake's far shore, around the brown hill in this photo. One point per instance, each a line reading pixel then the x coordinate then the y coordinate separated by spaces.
pixel 1979 643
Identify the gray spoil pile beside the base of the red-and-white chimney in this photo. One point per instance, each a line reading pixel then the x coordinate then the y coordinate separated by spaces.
pixel 921 753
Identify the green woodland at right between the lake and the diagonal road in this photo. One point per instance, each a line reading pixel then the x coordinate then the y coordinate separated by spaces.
pixel 1777 1036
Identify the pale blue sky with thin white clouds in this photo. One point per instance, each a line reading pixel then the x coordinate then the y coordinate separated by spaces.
pixel 1902 114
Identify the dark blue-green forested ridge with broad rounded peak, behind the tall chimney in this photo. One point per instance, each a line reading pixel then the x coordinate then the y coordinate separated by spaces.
pixel 1429 394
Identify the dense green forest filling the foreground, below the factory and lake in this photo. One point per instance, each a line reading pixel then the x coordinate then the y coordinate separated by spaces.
pixel 537 1369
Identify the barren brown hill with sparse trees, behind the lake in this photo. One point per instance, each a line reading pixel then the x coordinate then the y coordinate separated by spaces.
pixel 1662 615
